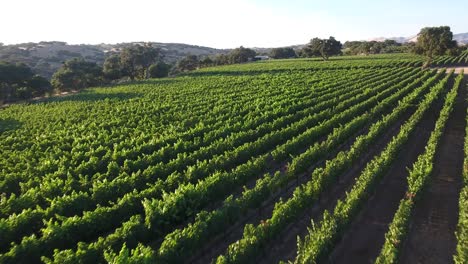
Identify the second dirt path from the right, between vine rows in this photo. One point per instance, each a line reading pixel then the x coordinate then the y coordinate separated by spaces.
pixel 366 235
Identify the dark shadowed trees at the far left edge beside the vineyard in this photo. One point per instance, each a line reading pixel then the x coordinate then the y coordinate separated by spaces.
pixel 18 82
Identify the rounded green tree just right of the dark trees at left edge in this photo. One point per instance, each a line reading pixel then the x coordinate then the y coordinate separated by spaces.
pixel 76 74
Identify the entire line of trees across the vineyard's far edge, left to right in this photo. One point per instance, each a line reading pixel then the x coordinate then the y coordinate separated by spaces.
pixel 18 82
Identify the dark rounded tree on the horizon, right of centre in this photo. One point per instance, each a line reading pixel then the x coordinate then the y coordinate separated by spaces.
pixel 323 48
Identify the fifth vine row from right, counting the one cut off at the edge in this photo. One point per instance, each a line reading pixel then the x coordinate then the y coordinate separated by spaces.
pixel 182 243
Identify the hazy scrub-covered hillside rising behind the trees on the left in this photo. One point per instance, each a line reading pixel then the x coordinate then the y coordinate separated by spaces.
pixel 46 57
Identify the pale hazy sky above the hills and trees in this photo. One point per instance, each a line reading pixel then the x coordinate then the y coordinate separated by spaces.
pixel 222 23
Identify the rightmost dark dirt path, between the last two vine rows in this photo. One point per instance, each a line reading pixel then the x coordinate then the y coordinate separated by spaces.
pixel 431 237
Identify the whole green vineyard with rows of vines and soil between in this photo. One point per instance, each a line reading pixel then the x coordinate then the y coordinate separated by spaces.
pixel 354 160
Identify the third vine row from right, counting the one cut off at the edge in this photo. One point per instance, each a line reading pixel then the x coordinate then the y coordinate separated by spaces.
pixel 322 236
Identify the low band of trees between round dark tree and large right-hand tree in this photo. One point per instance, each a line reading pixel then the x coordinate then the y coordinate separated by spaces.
pixel 374 47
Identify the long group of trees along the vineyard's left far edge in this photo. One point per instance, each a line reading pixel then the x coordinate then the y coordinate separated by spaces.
pixel 17 81
